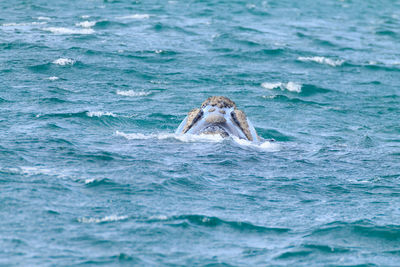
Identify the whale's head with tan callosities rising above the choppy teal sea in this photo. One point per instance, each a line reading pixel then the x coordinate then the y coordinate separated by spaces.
pixel 218 115
